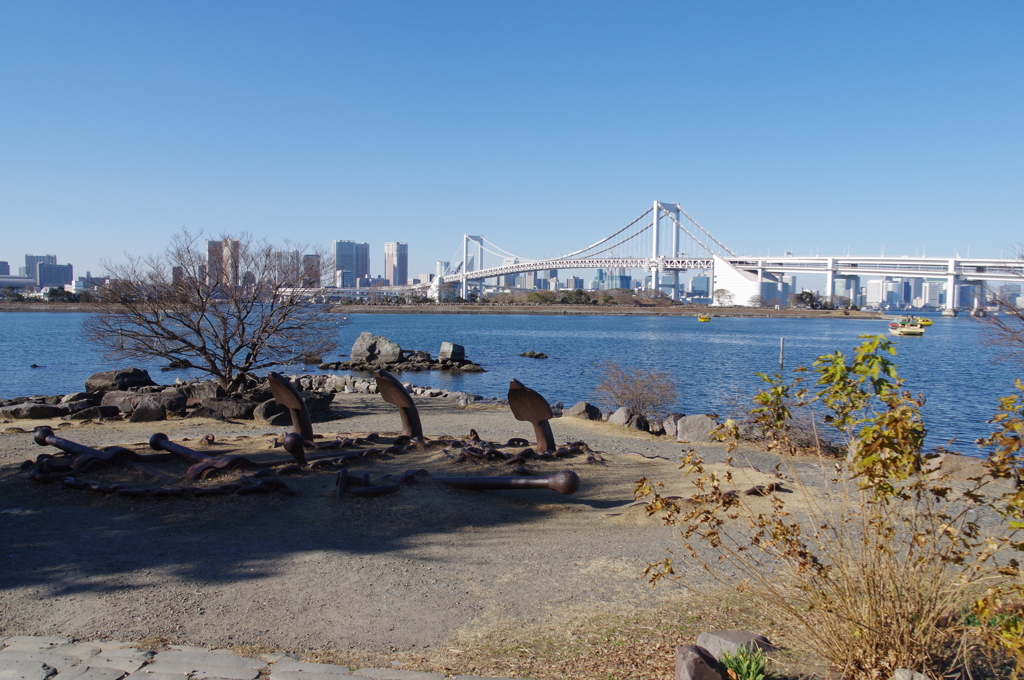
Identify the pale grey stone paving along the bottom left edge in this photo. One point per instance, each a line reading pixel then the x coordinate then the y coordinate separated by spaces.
pixel 26 658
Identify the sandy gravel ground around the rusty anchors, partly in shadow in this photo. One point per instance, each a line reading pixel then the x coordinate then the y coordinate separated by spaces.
pixel 425 569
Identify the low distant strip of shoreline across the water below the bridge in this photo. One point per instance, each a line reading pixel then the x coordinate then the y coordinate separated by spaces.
pixel 505 310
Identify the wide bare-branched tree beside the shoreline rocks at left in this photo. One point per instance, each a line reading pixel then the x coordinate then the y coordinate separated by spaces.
pixel 228 308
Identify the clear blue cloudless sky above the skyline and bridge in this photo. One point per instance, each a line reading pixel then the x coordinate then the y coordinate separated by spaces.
pixel 809 127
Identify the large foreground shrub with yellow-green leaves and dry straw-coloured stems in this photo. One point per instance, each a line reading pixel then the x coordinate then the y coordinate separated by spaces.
pixel 882 569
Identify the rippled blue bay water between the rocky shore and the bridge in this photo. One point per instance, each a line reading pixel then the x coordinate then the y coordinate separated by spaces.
pixel 955 365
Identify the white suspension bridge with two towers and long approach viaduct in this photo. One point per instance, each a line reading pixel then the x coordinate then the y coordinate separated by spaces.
pixel 666 241
